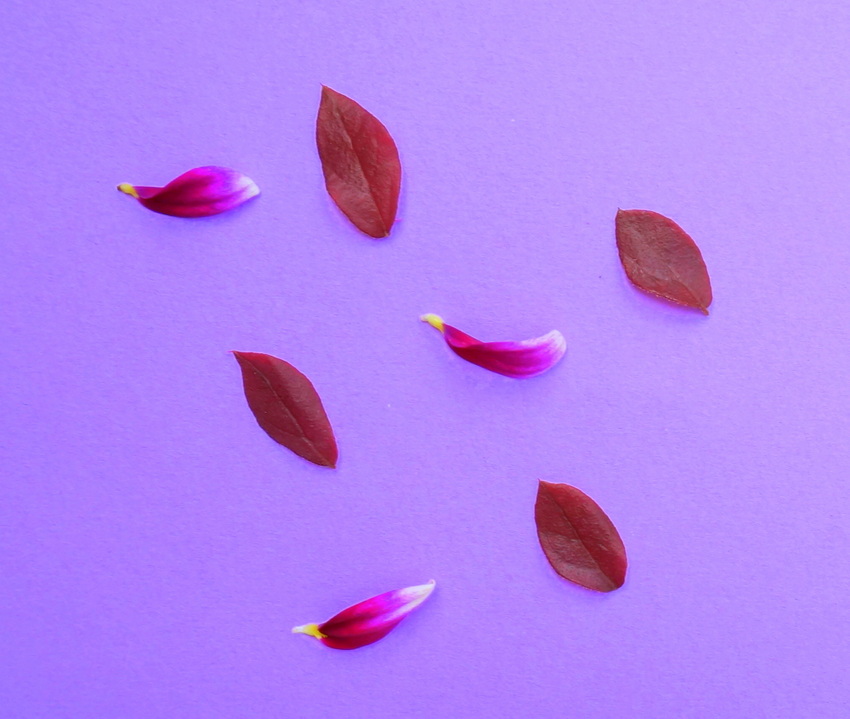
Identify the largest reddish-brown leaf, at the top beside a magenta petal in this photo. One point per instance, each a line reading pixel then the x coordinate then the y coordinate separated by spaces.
pixel 360 162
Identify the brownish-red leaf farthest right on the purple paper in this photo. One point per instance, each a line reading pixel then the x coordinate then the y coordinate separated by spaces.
pixel 661 258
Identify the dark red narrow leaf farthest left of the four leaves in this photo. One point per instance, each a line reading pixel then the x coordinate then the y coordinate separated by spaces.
pixel 287 407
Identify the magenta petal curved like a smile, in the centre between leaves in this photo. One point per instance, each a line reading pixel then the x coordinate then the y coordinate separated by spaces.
pixel 527 358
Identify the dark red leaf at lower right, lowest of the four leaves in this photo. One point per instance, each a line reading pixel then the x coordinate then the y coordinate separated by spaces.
pixel 578 539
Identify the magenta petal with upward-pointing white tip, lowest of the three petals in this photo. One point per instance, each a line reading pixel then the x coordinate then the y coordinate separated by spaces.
pixel 369 620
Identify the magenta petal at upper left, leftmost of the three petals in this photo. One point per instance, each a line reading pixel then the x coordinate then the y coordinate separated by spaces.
pixel 201 192
